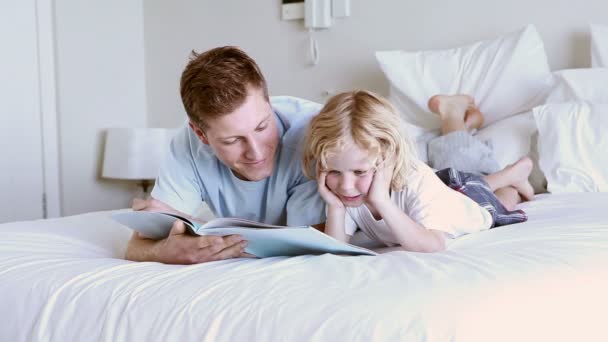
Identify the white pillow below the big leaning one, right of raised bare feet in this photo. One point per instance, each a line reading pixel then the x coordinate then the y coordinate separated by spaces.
pixel 512 138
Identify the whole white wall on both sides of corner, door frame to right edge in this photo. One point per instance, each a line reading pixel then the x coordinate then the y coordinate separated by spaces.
pixel 106 78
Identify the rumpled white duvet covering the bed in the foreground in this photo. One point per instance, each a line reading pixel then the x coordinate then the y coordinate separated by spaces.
pixel 543 280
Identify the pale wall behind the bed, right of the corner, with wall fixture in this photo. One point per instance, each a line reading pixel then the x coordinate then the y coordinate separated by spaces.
pixel 173 28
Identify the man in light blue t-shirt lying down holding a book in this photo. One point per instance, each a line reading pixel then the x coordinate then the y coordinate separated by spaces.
pixel 239 153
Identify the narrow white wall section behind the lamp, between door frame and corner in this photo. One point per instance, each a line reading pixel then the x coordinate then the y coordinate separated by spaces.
pixel 100 84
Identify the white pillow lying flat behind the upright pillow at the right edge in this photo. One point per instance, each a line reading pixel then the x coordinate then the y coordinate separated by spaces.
pixel 579 85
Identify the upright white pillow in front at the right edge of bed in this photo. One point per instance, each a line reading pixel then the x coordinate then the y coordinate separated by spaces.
pixel 572 145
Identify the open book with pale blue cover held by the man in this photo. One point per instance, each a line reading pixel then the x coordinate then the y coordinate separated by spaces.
pixel 264 240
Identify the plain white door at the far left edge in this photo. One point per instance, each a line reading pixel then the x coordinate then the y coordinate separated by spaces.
pixel 21 164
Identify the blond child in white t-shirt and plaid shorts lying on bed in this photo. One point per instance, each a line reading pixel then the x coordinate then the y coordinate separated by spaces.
pixel 370 179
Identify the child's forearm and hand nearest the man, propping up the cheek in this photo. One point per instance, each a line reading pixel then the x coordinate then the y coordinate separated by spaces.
pixel 334 225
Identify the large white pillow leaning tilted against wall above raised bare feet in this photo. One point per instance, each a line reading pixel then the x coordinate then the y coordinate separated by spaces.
pixel 506 75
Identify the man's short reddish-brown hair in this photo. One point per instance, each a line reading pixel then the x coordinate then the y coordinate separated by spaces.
pixel 216 82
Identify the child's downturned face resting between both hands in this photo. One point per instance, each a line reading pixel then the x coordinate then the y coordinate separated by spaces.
pixel 349 175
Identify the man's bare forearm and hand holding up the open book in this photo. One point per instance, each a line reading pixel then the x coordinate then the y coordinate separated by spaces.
pixel 180 247
